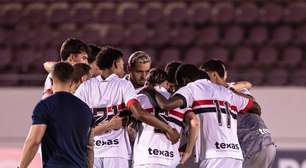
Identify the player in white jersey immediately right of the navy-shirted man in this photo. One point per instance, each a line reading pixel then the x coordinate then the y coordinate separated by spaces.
pixel 109 95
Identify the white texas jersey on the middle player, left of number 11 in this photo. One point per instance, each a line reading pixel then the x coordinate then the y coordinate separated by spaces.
pixel 151 145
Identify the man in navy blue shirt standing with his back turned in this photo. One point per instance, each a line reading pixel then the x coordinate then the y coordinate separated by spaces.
pixel 62 124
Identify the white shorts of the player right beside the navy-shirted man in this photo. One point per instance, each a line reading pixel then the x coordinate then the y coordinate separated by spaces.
pixel 110 163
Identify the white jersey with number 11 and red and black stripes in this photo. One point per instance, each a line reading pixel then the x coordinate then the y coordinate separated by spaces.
pixel 217 108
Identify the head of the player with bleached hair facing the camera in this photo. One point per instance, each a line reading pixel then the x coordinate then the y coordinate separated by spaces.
pixel 139 65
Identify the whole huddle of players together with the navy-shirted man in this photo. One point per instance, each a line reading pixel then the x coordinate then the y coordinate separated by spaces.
pixel 94 115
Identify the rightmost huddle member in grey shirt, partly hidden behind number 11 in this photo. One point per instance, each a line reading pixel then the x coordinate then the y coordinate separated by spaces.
pixel 254 137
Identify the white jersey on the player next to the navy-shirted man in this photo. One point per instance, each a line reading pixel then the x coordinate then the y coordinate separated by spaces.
pixel 107 98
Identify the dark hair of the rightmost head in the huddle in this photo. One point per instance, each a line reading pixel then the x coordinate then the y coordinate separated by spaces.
pixel 214 65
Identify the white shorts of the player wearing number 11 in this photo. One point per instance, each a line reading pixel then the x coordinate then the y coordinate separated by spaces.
pixel 221 162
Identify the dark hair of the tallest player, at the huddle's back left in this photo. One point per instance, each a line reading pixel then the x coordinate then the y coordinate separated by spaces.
pixel 72 46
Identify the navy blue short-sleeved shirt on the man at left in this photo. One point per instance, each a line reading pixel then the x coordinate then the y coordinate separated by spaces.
pixel 68 121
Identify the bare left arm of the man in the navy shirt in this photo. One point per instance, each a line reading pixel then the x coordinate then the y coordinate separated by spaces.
pixel 31 144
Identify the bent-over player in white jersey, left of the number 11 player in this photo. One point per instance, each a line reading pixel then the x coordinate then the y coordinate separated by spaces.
pixel 152 148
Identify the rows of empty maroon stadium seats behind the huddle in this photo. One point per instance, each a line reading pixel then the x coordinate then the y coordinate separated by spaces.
pixel 251 36
